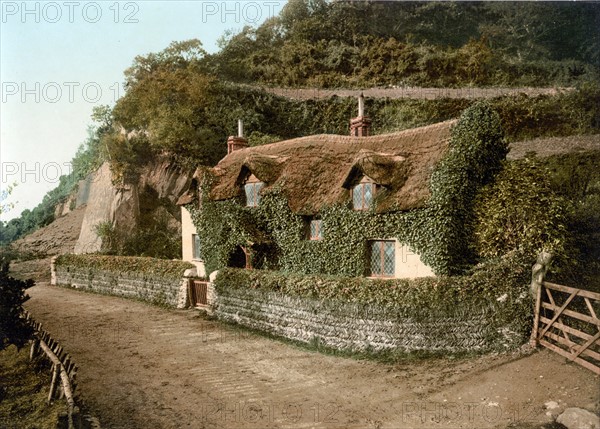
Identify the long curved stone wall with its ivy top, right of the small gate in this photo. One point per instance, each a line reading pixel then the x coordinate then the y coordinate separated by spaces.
pixel 489 309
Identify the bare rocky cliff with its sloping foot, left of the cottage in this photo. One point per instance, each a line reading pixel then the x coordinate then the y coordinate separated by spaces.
pixel 125 209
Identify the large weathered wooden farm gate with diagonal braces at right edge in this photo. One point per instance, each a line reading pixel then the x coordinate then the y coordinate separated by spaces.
pixel 567 323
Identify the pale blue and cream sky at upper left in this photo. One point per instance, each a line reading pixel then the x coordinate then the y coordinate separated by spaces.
pixel 59 59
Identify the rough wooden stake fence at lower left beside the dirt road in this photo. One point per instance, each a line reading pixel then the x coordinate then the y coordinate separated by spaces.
pixel 64 374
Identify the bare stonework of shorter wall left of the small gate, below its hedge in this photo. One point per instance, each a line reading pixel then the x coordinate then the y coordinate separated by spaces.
pixel 152 289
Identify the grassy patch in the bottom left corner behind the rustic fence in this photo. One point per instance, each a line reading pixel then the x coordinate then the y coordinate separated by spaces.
pixel 24 388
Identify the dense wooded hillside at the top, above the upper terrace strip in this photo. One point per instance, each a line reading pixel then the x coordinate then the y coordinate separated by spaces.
pixel 329 44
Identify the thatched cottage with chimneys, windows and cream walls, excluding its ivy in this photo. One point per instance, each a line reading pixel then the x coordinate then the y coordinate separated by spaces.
pixel 367 174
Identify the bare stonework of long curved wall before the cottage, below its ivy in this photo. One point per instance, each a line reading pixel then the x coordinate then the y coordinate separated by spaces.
pixel 361 328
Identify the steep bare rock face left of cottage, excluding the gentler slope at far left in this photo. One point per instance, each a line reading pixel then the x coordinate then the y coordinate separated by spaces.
pixel 159 186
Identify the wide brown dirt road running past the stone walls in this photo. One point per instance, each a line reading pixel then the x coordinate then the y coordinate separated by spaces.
pixel 147 367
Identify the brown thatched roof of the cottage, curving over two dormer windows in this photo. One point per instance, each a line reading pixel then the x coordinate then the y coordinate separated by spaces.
pixel 318 170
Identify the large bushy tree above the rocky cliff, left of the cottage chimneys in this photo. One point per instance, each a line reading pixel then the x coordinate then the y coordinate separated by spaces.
pixel 168 105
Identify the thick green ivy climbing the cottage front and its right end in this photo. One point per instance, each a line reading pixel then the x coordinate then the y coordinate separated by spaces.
pixel 440 232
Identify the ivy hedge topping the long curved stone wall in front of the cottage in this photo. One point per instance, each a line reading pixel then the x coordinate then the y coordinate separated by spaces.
pixel 500 287
